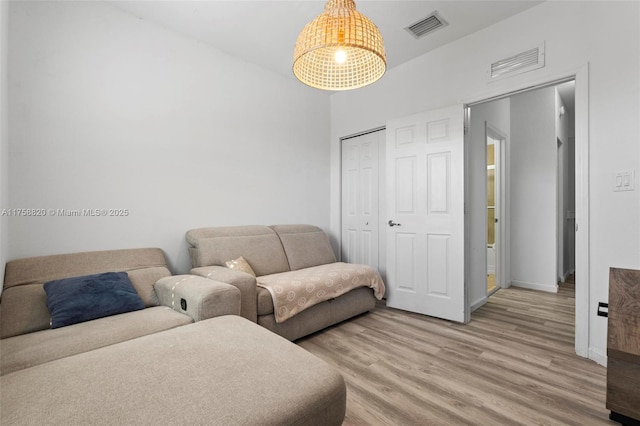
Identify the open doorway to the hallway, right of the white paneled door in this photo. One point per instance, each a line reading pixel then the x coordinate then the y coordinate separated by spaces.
pixel 531 169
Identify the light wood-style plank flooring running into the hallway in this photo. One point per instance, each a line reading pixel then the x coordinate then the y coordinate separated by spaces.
pixel 513 364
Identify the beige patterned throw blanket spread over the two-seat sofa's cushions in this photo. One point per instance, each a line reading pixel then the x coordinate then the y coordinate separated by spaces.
pixel 295 291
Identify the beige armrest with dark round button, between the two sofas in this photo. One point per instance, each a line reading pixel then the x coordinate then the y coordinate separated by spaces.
pixel 198 297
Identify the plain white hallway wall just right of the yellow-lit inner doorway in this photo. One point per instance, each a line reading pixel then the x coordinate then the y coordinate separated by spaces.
pixel 532 201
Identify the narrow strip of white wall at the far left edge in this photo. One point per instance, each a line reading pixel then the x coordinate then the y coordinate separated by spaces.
pixel 4 136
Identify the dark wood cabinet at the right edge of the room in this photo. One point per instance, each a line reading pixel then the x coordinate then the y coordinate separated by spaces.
pixel 623 346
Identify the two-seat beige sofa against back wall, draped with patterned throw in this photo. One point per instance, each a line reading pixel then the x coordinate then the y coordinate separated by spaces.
pixel 301 252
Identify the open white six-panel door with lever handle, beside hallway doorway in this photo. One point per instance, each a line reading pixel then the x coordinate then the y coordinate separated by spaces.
pixel 425 209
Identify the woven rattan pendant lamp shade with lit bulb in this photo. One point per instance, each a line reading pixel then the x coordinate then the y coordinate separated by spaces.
pixel 339 50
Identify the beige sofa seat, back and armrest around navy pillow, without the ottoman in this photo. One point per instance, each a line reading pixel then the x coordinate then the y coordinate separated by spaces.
pixel 28 340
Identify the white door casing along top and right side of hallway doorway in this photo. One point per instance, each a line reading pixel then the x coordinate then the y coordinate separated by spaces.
pixel 582 245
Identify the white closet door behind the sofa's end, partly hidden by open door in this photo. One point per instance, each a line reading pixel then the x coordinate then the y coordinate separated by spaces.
pixel 360 221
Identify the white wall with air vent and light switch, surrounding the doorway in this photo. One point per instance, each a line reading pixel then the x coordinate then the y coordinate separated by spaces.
pixel 456 73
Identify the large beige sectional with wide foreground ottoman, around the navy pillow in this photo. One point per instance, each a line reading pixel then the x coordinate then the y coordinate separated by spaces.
pixel 179 360
